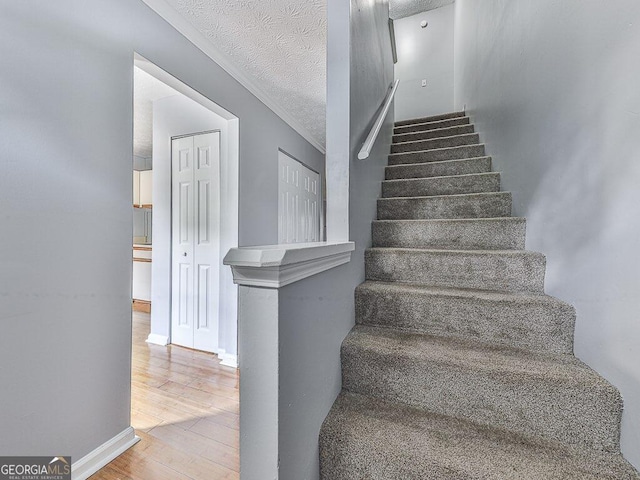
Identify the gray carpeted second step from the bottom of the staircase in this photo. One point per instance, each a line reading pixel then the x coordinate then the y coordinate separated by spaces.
pixel 551 397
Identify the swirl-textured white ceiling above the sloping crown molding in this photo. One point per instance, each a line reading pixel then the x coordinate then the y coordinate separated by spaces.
pixel 281 44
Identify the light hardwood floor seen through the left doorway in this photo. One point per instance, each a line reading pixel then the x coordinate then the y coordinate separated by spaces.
pixel 184 407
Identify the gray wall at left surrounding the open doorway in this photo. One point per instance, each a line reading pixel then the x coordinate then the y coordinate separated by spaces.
pixel 65 203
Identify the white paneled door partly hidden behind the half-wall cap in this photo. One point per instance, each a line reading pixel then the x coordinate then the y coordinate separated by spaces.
pixel 298 202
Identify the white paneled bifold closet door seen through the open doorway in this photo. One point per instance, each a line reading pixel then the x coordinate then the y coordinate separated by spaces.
pixel 195 241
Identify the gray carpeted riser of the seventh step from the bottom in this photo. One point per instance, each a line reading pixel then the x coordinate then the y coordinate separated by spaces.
pixel 482 183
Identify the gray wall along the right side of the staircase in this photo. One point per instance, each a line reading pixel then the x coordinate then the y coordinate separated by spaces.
pixel 553 88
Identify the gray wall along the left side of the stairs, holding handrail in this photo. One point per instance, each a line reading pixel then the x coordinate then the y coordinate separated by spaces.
pixel 317 313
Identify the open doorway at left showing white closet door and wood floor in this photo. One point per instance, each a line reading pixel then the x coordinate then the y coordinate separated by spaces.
pixel 184 401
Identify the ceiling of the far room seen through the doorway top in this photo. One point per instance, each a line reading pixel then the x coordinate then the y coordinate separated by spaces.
pixel 146 89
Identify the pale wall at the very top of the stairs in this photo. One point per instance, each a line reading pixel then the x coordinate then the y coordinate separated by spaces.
pixel 424 53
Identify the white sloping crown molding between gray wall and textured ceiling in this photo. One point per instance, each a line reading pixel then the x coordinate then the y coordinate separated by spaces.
pixel 192 34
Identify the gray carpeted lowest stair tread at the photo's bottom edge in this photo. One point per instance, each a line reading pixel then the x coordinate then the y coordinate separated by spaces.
pixel 364 437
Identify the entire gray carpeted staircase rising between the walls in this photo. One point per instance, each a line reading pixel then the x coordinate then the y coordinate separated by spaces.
pixel 459 366
